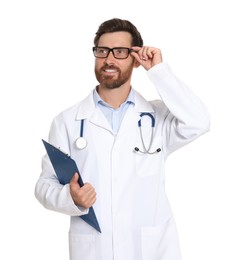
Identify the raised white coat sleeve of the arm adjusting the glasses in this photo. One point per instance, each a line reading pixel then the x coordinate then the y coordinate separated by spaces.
pixel 185 117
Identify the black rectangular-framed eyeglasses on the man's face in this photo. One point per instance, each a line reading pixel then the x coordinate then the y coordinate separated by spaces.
pixel 118 52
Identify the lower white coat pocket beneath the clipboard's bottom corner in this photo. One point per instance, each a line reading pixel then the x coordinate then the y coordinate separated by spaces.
pixel 81 247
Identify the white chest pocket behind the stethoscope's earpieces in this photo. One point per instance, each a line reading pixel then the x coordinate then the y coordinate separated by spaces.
pixel 150 162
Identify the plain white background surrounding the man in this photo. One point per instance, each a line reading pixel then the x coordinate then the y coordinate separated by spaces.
pixel 46 65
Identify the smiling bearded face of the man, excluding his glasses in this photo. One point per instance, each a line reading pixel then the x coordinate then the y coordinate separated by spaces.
pixel 111 72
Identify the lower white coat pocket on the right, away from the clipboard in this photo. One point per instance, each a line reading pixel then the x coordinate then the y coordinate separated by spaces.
pixel 161 242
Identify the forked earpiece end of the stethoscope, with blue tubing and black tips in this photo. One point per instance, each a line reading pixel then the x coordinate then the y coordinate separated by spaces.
pixel 147 149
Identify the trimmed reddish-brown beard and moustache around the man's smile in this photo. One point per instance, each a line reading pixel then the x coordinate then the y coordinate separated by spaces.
pixel 112 81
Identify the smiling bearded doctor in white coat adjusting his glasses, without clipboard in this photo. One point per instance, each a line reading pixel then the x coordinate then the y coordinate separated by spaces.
pixel 121 156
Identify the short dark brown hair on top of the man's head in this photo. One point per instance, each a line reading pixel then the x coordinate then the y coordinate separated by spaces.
pixel 118 25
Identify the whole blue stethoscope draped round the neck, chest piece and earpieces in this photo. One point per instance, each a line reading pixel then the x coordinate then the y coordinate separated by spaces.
pixel 81 142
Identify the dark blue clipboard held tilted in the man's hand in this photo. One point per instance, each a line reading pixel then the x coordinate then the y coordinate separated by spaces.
pixel 65 168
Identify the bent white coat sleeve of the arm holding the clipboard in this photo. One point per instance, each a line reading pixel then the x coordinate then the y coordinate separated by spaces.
pixel 48 191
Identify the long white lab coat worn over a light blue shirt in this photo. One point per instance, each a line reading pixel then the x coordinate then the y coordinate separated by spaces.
pixel 131 206
